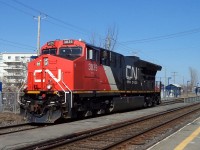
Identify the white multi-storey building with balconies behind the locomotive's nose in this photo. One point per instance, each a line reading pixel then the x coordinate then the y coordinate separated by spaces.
pixel 13 68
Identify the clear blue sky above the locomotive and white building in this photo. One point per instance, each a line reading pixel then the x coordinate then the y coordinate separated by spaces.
pixel 165 32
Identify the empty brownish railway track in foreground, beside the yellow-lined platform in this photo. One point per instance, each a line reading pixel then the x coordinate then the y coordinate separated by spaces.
pixel 134 134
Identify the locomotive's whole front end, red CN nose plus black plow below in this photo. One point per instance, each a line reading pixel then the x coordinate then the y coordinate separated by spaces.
pixel 49 79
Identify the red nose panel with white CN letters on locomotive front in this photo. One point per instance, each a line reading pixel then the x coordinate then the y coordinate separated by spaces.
pixel 46 73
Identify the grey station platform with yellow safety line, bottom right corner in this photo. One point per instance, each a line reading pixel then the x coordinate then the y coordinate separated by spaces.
pixel 187 138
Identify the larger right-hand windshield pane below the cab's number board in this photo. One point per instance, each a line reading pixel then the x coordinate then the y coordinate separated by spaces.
pixel 70 52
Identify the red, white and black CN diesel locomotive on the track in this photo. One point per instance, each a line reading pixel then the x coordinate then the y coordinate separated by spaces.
pixel 72 79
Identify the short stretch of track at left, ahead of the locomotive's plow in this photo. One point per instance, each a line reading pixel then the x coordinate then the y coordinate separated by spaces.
pixel 16 128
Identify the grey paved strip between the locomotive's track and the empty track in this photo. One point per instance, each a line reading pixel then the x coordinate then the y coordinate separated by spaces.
pixel 19 140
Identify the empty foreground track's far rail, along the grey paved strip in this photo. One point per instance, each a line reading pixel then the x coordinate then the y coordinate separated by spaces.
pixel 79 136
